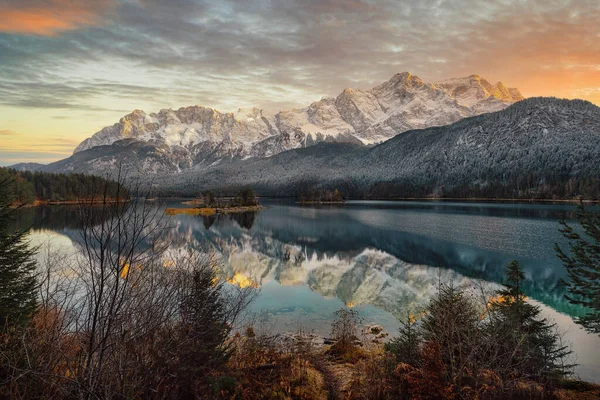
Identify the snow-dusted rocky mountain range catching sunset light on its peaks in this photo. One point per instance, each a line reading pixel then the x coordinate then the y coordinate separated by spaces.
pixel 196 136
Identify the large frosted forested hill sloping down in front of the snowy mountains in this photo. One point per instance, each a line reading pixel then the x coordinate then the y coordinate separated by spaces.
pixel 536 148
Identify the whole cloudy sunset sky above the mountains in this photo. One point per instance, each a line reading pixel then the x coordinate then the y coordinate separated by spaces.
pixel 69 68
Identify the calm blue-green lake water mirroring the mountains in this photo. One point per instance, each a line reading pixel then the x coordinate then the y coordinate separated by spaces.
pixel 383 258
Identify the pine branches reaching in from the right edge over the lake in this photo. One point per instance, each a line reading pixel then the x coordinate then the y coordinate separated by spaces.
pixel 583 266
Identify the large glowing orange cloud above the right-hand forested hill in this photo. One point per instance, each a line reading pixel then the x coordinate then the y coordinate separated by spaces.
pixel 552 54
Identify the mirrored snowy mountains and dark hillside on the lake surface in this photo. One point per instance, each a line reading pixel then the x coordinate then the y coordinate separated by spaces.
pixel 370 246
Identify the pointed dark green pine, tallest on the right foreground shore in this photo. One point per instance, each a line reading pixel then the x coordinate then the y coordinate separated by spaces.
pixel 527 344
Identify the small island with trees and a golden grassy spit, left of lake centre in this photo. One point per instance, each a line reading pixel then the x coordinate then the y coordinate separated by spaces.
pixel 208 204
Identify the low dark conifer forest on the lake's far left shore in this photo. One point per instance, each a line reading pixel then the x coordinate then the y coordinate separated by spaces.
pixel 25 187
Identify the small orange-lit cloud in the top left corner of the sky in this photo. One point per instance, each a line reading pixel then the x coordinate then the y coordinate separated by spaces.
pixel 50 18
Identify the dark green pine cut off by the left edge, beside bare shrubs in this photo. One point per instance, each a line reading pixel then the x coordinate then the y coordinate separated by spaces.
pixel 17 266
